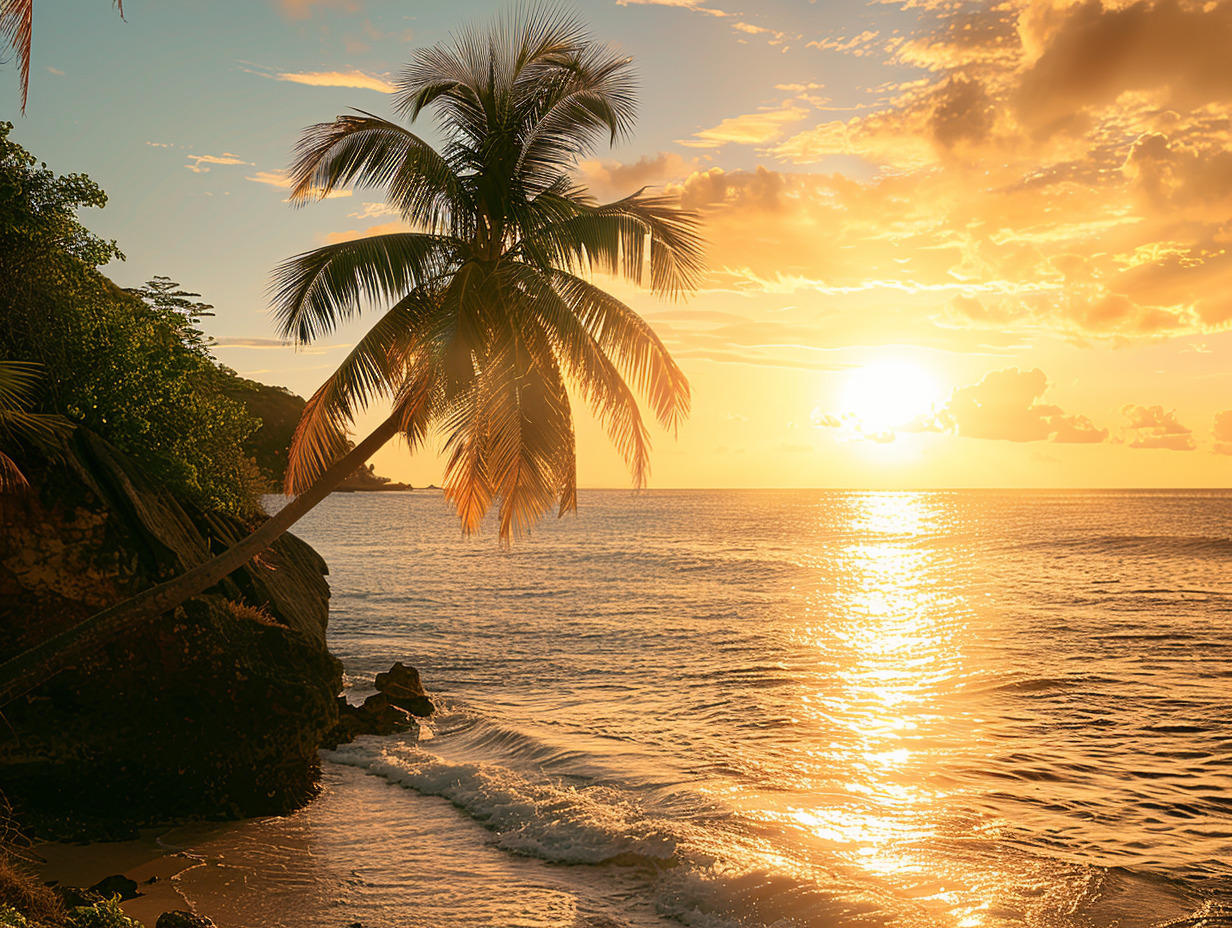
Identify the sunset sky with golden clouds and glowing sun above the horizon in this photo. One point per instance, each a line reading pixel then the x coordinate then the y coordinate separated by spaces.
pixel 950 245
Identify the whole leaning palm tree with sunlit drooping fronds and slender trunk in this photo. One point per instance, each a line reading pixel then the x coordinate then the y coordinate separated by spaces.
pixel 492 310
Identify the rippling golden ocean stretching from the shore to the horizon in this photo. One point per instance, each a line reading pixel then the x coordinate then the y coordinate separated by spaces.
pixel 755 709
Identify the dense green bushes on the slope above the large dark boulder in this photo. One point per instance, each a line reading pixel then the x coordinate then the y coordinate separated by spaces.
pixel 129 365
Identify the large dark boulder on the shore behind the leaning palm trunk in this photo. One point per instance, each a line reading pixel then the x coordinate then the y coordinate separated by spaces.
pixel 216 709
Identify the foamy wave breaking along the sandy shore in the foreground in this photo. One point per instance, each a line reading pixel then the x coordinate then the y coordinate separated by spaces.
pixel 702 877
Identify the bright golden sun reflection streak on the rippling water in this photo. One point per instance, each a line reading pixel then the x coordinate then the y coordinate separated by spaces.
pixel 894 633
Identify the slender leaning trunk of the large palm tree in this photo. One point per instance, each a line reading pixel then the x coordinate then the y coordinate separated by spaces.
pixel 30 669
